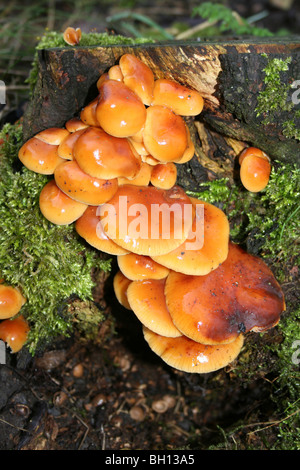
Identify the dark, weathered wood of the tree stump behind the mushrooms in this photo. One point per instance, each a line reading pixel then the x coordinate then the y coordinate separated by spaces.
pixel 228 74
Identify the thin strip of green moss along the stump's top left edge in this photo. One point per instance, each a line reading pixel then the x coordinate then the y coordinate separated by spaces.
pixel 54 39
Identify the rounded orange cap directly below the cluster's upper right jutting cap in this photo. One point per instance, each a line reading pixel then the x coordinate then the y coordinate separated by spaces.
pixel 165 135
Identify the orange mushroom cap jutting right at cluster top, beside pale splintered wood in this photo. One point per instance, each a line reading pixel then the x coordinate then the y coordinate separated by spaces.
pixel 181 99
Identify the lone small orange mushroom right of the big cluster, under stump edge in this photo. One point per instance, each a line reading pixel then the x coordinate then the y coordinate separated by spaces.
pixel 255 169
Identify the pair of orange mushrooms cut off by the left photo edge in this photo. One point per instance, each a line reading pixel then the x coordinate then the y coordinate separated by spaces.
pixel 13 327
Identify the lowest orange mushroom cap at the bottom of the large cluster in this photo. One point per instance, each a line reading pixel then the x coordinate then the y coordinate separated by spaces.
pixel 187 355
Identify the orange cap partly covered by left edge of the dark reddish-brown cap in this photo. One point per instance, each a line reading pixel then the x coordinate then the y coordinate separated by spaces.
pixel 147 301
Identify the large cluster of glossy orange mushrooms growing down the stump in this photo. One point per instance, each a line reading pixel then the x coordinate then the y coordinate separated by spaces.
pixel 194 291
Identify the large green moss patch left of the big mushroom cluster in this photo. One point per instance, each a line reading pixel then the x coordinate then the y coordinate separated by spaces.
pixel 49 263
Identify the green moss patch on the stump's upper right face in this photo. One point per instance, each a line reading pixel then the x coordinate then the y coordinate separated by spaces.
pixel 274 98
